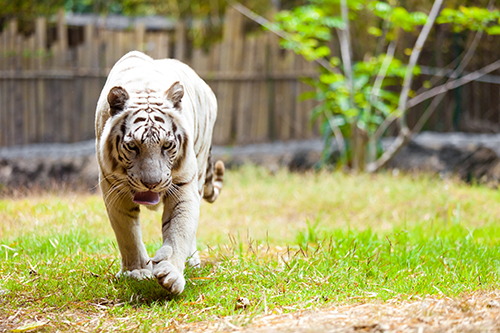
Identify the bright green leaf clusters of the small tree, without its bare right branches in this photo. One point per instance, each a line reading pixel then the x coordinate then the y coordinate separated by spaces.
pixel 363 51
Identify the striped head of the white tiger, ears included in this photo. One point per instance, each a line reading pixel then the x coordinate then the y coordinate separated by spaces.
pixel 144 142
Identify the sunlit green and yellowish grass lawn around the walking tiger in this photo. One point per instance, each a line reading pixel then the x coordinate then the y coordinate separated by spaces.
pixel 284 241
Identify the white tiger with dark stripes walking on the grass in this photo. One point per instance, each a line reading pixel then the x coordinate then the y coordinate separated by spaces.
pixel 154 122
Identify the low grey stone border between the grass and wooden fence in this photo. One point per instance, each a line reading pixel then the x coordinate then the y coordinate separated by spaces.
pixel 474 158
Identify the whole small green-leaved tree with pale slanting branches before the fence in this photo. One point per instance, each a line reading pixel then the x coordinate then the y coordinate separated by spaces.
pixel 359 102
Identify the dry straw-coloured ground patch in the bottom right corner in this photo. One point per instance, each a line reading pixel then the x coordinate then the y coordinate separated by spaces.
pixel 479 312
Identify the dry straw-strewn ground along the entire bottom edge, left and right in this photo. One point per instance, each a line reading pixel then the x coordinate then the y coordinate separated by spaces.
pixel 477 312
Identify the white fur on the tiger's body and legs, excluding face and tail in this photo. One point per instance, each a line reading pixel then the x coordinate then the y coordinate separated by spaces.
pixel 138 74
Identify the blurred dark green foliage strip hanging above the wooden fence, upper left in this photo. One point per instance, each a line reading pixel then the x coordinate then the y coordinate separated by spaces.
pixel 209 13
